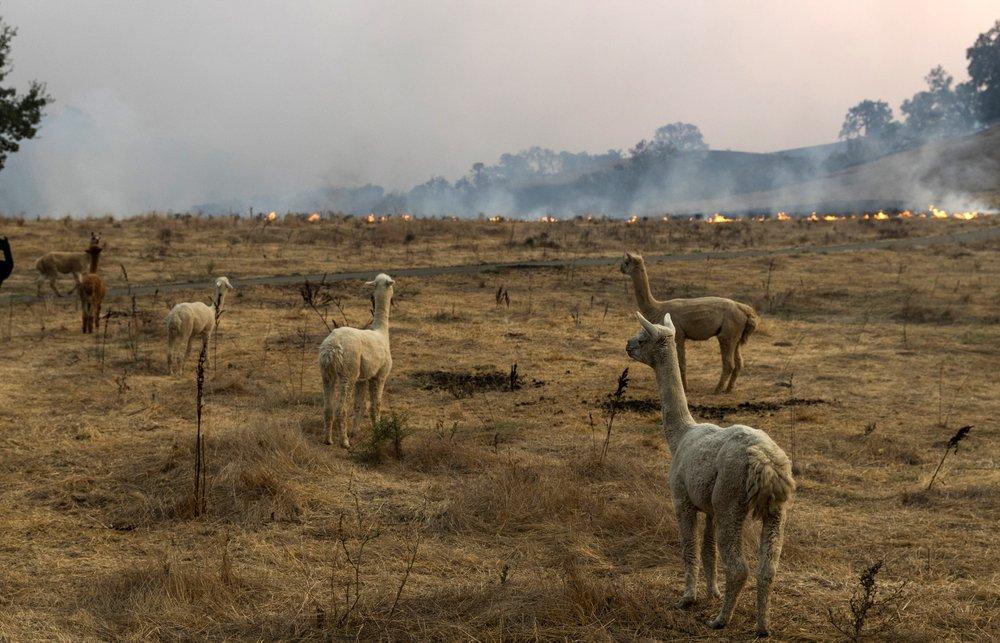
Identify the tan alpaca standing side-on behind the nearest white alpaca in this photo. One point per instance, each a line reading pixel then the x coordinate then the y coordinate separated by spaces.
pixel 697 319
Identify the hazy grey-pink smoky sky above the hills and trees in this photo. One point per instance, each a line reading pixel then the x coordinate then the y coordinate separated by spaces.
pixel 167 104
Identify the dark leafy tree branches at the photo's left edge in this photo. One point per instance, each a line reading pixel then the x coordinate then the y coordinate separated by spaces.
pixel 19 113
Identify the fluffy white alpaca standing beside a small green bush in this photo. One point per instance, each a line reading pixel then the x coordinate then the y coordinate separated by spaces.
pixel 353 358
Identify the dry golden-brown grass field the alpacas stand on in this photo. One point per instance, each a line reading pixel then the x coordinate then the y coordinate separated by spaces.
pixel 494 517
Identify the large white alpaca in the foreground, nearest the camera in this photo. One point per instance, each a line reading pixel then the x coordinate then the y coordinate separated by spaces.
pixel 724 473
